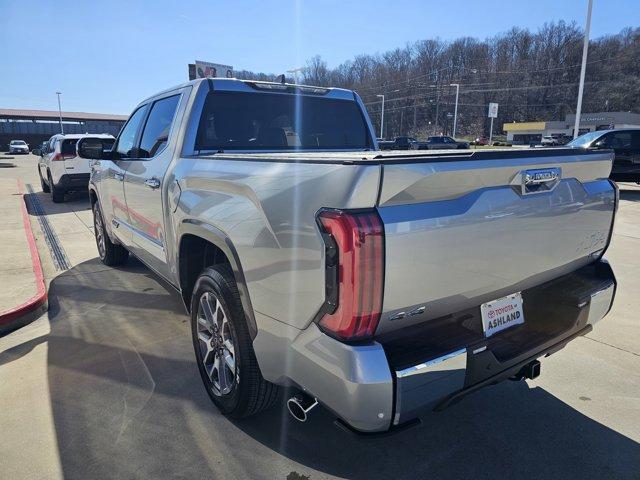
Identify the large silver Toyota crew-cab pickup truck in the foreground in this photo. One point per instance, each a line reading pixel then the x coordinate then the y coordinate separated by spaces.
pixel 380 286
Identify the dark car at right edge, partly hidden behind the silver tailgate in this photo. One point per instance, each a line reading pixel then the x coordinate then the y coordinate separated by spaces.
pixel 626 146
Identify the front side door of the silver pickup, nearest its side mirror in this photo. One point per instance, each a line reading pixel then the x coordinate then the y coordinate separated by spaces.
pixel 110 174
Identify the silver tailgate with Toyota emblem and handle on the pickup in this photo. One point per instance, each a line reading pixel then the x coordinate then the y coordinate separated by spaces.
pixel 463 231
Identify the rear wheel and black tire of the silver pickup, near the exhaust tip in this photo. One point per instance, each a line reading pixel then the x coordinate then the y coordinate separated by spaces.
pixel 223 347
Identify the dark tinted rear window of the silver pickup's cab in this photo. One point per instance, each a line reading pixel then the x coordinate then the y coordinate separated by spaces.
pixel 266 121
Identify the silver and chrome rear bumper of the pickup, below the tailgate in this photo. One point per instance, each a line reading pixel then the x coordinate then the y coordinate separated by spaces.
pixel 374 390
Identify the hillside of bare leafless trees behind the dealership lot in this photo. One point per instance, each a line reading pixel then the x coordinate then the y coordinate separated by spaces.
pixel 532 75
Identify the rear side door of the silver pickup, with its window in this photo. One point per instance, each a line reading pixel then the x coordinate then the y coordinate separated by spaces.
pixel 144 188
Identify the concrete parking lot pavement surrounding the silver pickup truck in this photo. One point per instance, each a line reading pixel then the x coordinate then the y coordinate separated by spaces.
pixel 105 386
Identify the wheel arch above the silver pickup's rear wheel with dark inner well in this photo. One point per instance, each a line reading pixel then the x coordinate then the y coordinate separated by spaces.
pixel 201 245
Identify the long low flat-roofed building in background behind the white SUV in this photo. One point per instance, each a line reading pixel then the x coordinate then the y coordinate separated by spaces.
pixel 36 126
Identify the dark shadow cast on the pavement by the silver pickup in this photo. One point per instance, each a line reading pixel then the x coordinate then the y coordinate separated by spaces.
pixel 127 402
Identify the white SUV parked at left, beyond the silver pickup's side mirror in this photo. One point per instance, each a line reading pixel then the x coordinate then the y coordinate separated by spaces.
pixel 60 168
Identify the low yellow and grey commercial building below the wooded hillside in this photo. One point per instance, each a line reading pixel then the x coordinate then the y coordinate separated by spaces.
pixel 532 132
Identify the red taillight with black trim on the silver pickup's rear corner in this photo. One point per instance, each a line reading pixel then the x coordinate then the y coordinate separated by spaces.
pixel 355 273
